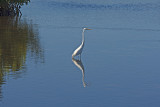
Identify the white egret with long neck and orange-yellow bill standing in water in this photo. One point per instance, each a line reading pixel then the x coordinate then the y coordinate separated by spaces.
pixel 78 51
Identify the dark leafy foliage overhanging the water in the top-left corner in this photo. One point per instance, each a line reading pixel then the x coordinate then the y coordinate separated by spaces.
pixel 11 7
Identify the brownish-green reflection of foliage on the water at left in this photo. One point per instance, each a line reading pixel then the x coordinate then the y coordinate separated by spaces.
pixel 18 39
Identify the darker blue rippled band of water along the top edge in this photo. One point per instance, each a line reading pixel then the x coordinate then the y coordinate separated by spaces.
pixel 131 6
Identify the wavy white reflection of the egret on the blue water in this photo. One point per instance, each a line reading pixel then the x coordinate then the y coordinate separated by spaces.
pixel 79 64
